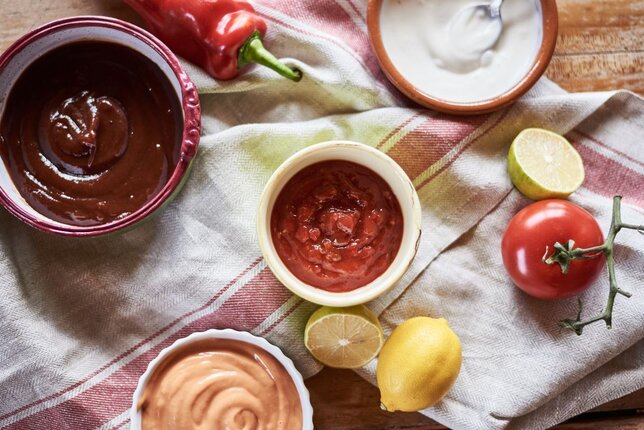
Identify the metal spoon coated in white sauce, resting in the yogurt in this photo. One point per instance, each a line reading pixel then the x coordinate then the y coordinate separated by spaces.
pixel 476 28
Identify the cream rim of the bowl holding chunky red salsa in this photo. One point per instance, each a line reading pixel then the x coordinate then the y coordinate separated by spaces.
pixel 319 296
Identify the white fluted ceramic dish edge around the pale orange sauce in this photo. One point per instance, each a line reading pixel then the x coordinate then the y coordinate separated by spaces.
pixel 307 409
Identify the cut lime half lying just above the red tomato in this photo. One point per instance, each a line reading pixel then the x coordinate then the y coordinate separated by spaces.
pixel 544 165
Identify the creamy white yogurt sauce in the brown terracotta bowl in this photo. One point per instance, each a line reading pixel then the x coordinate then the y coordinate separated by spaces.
pixel 415 34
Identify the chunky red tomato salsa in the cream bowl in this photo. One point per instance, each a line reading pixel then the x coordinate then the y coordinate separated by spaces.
pixel 337 225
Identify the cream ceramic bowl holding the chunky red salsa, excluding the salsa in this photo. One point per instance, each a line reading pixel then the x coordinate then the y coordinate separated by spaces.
pixel 387 169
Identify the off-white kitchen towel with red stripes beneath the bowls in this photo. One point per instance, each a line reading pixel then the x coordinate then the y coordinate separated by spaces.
pixel 81 318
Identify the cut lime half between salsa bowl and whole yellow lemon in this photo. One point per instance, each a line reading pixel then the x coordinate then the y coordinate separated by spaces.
pixel 345 338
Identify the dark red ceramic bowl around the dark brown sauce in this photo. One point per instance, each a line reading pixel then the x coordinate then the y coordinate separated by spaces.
pixel 57 33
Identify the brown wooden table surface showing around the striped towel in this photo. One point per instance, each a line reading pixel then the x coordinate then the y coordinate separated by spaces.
pixel 600 47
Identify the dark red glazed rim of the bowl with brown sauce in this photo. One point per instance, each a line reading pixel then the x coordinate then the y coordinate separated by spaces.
pixel 189 140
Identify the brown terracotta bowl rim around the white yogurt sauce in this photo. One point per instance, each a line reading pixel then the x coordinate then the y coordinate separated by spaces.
pixel 550 26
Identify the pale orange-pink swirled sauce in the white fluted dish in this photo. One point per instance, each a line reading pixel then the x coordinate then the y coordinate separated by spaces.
pixel 220 384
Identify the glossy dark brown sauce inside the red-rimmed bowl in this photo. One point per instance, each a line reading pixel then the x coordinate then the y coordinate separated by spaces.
pixel 89 133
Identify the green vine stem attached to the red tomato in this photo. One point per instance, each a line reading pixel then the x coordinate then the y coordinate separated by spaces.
pixel 565 254
